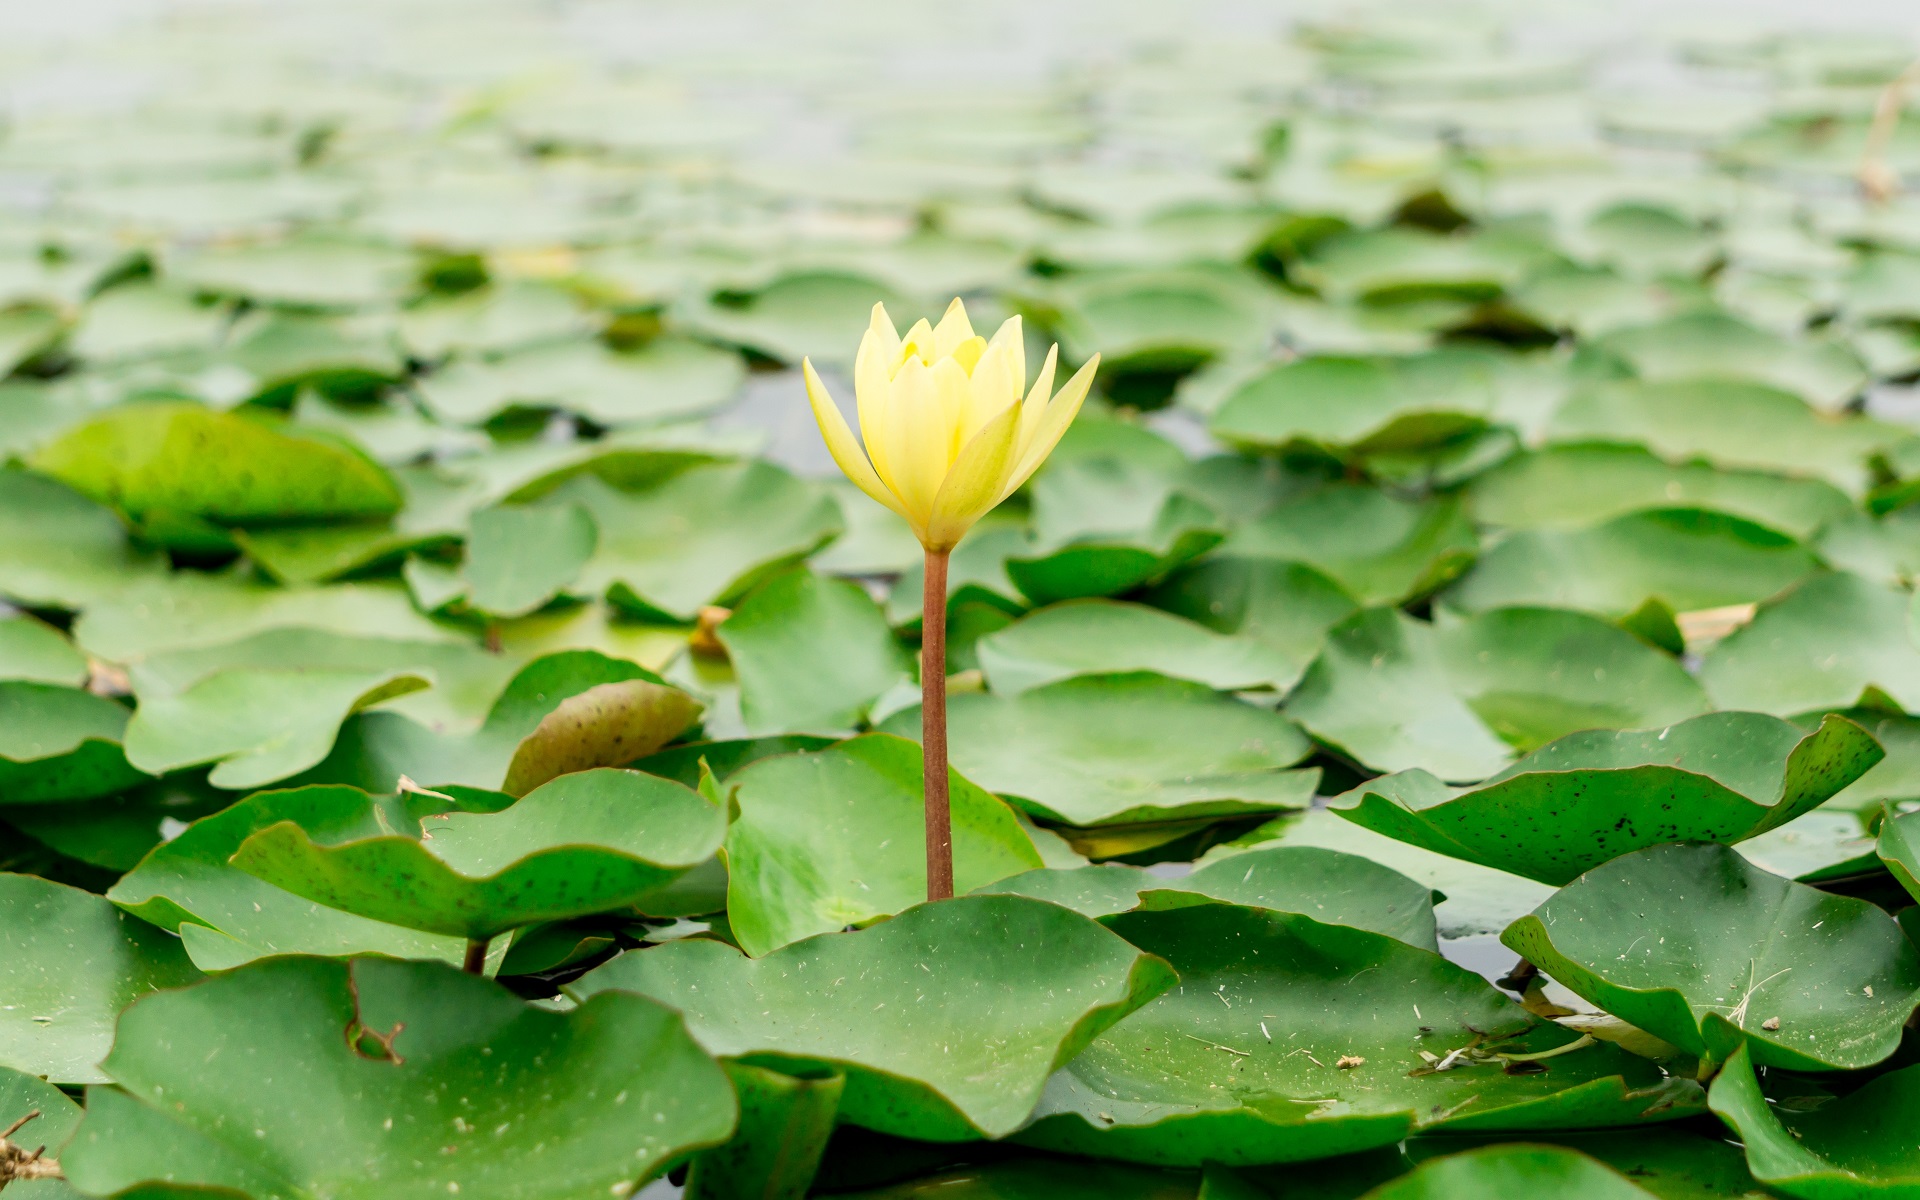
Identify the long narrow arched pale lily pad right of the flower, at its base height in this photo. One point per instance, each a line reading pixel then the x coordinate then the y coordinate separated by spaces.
pixel 1577 487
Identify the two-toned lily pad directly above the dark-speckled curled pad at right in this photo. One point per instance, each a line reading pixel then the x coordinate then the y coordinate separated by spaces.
pixel 1460 696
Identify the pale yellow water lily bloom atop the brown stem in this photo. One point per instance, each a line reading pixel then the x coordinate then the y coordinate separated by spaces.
pixel 949 423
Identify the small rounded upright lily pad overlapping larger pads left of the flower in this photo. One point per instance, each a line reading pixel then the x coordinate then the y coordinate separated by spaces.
pixel 521 558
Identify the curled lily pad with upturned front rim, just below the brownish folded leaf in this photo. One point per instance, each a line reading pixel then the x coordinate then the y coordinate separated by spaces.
pixel 583 844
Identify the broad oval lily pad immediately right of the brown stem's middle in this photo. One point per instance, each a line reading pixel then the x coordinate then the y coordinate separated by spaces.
pixel 1124 750
